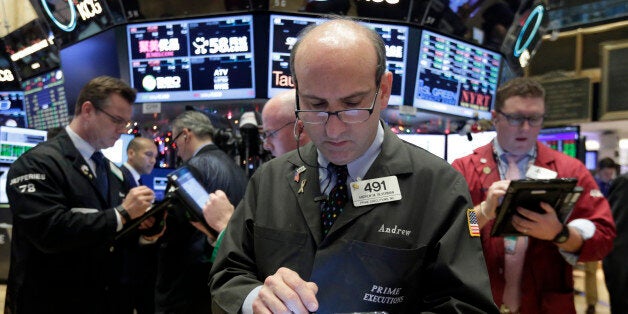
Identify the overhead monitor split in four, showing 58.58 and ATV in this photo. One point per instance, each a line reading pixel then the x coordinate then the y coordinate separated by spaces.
pixel 192 59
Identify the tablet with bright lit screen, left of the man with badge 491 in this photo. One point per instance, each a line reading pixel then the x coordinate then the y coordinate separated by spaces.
pixel 191 194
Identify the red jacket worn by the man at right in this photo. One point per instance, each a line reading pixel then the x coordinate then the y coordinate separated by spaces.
pixel 547 282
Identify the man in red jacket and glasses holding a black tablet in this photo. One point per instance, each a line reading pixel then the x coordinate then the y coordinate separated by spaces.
pixel 533 273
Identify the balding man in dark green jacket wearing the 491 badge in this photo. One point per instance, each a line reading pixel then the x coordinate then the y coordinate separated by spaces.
pixel 400 241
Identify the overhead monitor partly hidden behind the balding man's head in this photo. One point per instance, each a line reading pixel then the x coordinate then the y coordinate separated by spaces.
pixel 284 30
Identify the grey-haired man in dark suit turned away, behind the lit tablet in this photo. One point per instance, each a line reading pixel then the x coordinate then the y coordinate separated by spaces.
pixel 185 252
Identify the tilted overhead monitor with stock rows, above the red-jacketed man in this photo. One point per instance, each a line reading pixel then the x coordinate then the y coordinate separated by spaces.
pixel 455 77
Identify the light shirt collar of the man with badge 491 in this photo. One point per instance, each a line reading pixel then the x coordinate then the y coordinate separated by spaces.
pixel 357 168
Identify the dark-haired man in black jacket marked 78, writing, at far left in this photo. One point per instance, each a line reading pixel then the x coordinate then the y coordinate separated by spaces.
pixel 68 204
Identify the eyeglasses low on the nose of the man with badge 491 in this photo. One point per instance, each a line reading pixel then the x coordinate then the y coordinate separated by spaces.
pixel 349 116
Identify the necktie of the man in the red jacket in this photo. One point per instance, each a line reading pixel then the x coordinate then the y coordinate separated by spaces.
pixel 514 257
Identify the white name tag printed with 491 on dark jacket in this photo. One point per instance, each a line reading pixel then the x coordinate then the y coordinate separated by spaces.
pixel 375 191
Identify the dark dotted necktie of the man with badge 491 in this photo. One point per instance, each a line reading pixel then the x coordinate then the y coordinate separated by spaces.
pixel 337 197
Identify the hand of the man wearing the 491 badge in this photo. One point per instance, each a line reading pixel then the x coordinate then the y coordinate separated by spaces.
pixel 286 292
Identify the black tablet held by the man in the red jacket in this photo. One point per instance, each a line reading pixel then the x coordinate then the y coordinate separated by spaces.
pixel 561 194
